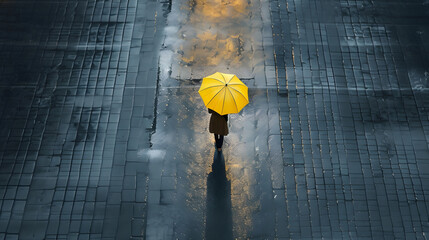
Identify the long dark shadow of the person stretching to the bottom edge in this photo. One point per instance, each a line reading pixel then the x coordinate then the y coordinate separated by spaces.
pixel 219 213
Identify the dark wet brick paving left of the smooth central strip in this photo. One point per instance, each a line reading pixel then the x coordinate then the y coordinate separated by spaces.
pixel 77 94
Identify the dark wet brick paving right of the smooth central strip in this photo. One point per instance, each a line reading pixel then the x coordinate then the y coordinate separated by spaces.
pixel 353 84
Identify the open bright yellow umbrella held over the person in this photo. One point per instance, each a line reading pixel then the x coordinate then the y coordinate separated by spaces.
pixel 224 93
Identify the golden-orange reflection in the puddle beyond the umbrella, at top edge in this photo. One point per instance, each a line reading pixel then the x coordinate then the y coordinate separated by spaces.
pixel 216 32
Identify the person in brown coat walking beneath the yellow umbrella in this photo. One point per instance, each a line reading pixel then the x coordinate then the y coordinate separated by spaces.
pixel 219 127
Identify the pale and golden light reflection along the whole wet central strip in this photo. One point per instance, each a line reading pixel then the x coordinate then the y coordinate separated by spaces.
pixel 203 37
